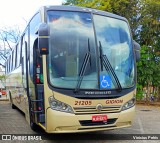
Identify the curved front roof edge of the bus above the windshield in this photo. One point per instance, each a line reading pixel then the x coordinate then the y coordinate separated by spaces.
pixel 82 9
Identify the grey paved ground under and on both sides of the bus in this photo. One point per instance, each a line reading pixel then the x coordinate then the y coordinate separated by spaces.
pixel 147 121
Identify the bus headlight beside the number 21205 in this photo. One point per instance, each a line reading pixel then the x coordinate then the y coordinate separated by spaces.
pixel 60 106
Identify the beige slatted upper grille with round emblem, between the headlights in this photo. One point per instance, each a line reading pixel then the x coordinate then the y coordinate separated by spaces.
pixel 93 110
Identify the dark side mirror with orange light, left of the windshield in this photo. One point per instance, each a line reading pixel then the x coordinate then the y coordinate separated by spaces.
pixel 43 38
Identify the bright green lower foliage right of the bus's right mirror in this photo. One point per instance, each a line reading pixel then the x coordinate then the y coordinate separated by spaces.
pixel 148 70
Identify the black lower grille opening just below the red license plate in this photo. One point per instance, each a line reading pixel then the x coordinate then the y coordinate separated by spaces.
pixel 90 123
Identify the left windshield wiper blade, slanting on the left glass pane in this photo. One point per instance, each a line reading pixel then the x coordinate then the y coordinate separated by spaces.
pixel 82 71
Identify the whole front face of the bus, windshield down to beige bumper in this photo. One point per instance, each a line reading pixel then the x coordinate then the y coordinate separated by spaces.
pixel 90 68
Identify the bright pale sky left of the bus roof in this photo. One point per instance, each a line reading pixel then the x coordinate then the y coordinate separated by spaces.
pixel 17 12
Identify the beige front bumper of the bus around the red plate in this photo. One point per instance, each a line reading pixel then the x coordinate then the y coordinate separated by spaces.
pixel 61 122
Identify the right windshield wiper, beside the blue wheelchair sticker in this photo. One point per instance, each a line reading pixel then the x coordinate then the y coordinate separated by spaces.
pixel 109 68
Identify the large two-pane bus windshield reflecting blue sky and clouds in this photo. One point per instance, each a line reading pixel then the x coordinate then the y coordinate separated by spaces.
pixel 73 36
